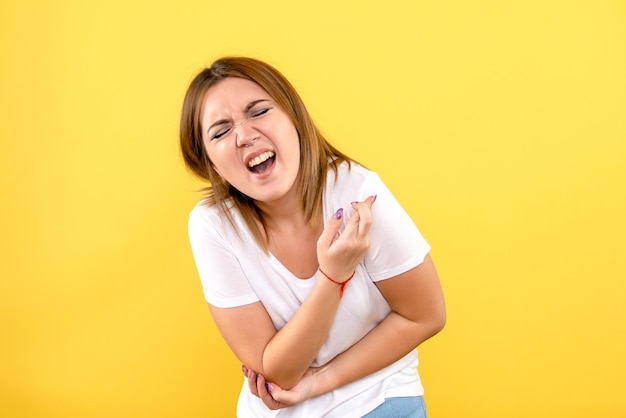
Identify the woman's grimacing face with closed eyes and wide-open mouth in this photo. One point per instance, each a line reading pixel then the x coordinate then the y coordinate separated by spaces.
pixel 251 141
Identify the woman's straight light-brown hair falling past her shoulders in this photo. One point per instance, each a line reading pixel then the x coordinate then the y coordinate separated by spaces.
pixel 316 153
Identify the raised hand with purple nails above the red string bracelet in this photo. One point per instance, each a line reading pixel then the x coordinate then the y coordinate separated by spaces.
pixel 339 255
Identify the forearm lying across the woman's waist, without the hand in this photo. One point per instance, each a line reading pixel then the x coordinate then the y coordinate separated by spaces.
pixel 391 340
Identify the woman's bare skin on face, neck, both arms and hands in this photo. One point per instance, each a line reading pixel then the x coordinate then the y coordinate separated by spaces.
pixel 240 122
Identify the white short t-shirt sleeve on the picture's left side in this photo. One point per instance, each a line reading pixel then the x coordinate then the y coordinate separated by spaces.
pixel 224 282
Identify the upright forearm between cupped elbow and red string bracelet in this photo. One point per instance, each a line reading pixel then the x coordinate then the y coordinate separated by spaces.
pixel 291 351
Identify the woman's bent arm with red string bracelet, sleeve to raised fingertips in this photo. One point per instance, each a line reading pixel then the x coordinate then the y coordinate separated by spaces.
pixel 283 357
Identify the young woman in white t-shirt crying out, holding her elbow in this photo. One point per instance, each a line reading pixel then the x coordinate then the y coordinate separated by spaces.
pixel 316 277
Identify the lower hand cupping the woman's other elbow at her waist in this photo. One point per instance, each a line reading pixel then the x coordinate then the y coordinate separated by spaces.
pixel 273 396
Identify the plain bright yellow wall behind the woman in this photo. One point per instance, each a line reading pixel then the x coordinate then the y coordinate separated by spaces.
pixel 501 126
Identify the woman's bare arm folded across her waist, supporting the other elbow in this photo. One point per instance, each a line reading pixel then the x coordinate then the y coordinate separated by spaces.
pixel 417 313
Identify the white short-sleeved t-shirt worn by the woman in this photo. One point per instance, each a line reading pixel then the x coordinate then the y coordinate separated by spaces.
pixel 234 272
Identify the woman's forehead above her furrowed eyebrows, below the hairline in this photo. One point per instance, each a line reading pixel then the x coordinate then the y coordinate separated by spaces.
pixel 229 96
